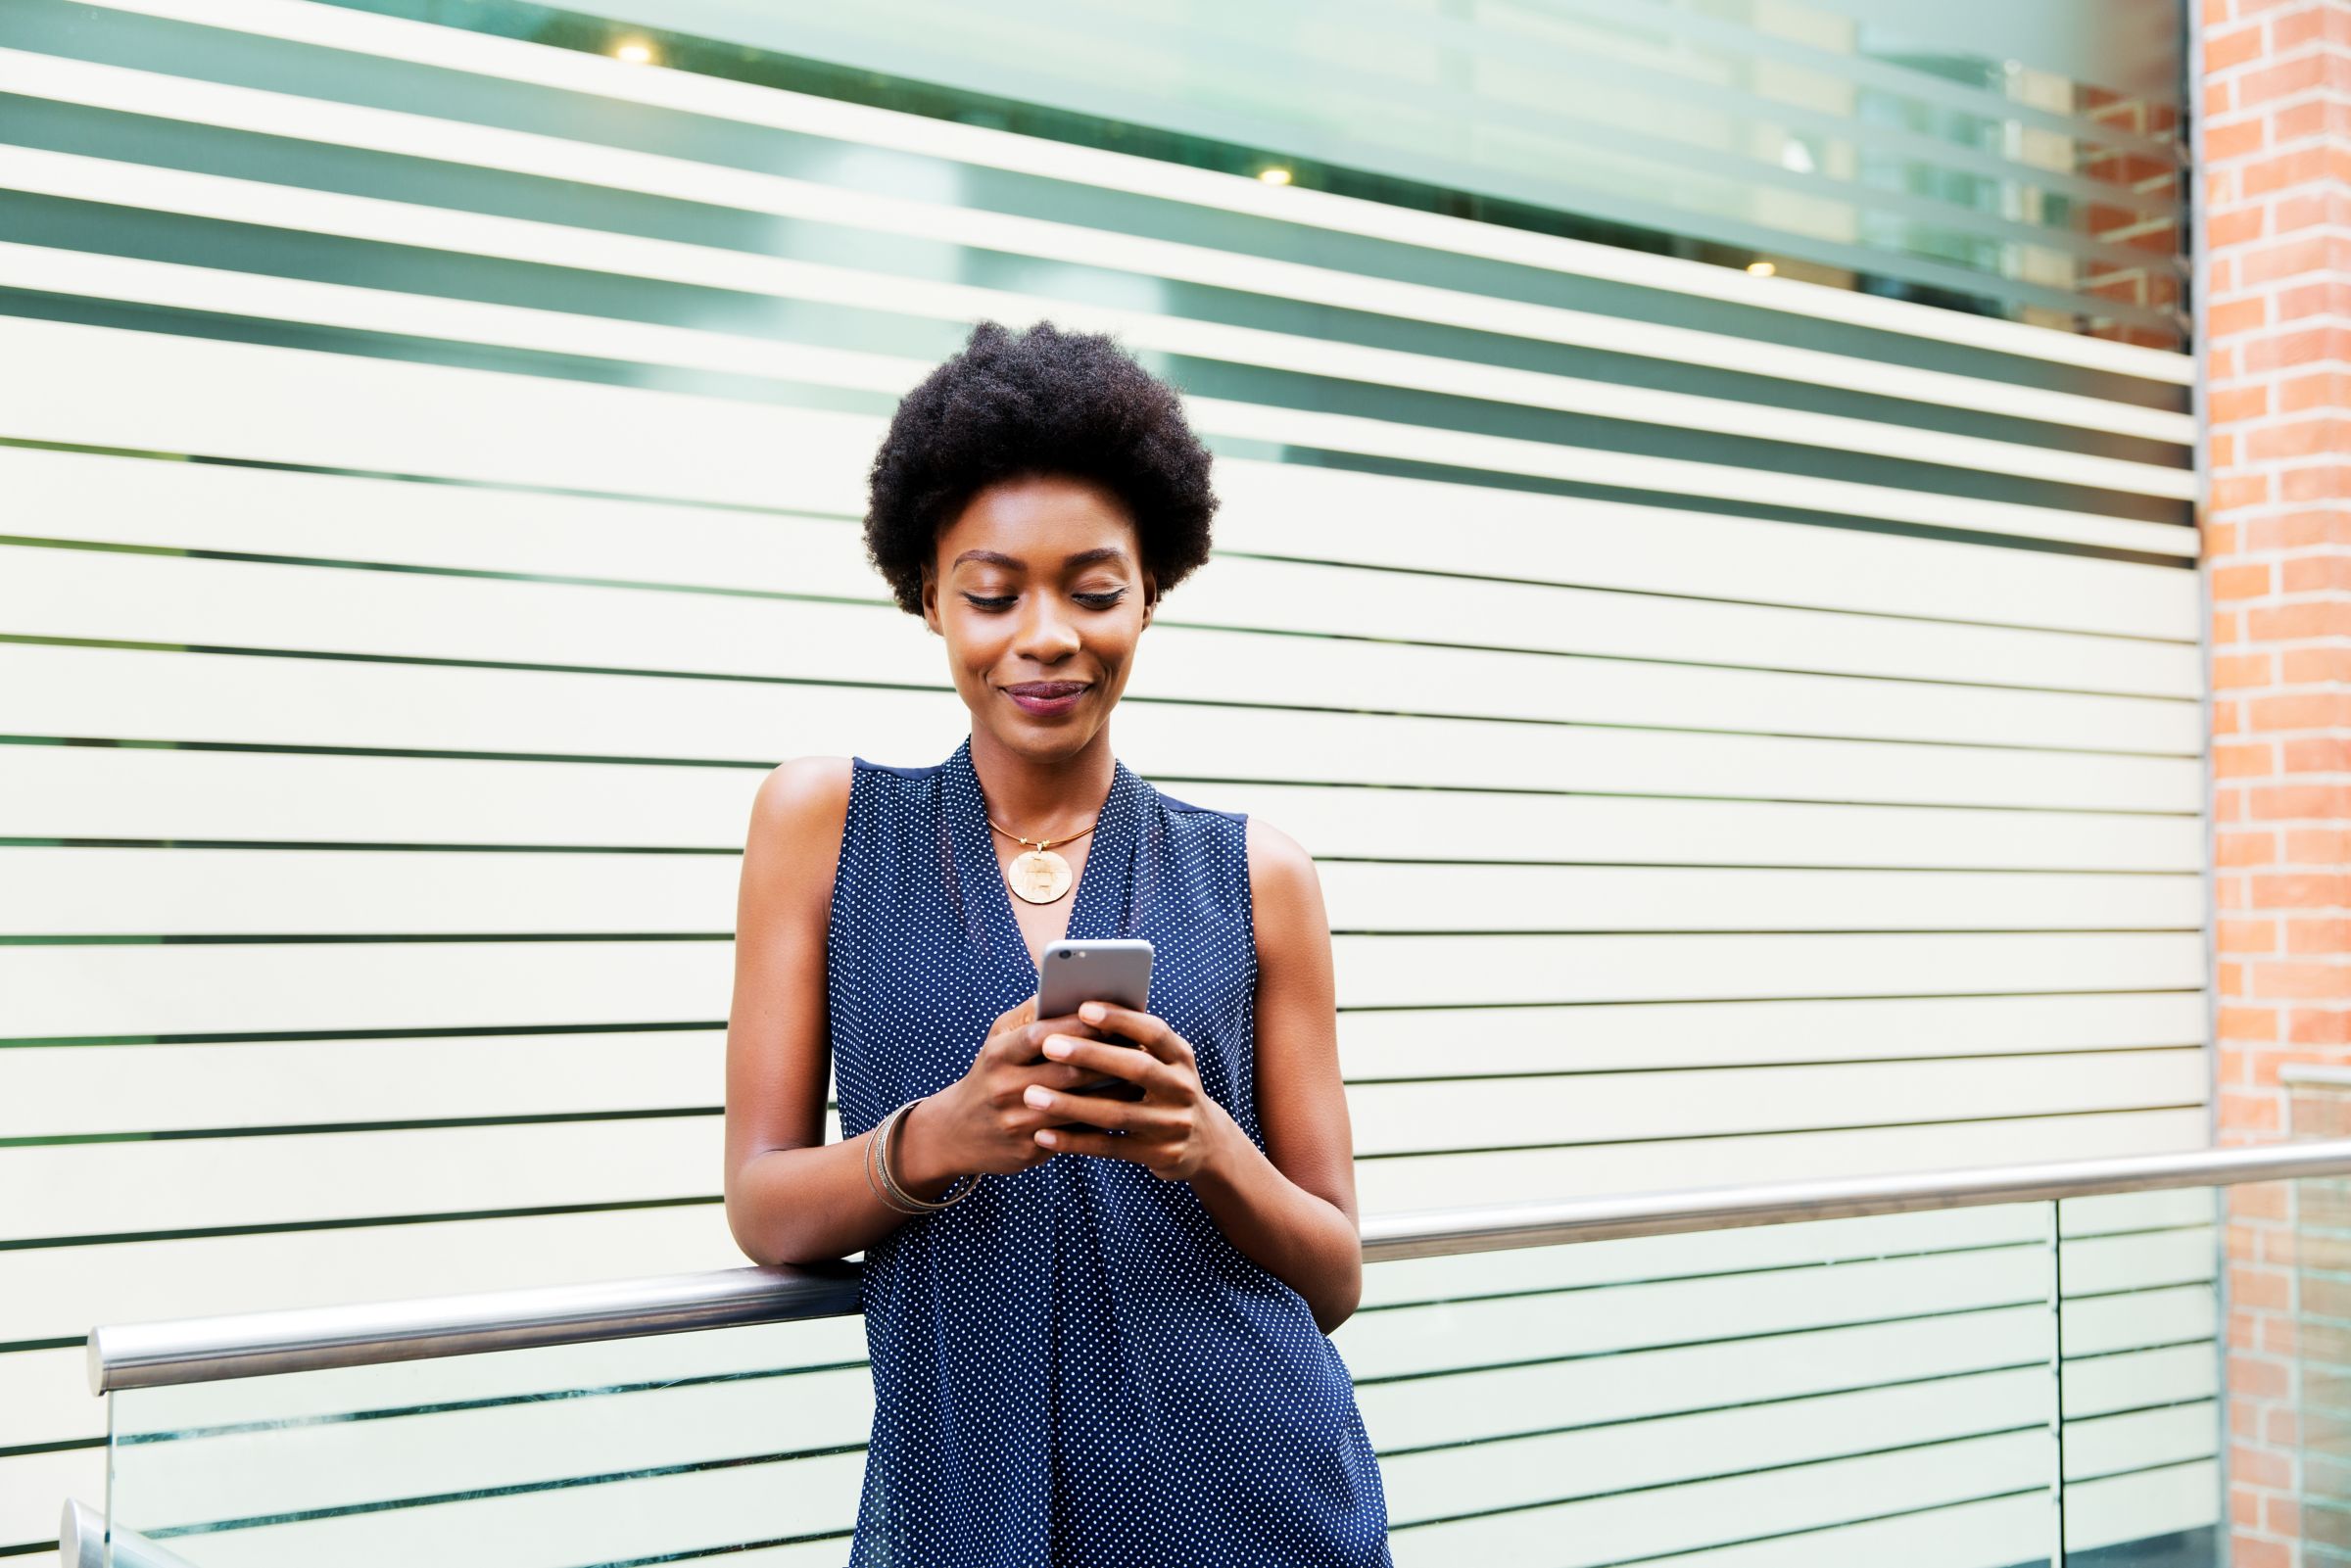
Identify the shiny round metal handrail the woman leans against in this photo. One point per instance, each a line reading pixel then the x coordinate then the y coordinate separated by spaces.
pixel 312 1339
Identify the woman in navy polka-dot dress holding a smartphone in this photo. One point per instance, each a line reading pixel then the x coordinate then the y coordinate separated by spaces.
pixel 1097 1325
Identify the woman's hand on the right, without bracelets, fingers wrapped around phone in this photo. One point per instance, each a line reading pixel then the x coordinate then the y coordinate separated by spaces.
pixel 1174 1132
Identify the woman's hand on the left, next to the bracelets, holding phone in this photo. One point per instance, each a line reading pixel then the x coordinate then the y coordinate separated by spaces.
pixel 982 1123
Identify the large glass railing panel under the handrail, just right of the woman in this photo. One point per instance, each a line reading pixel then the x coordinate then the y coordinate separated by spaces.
pixel 1861 1391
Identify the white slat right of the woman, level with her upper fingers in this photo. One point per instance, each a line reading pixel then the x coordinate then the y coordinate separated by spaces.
pixel 1398 1045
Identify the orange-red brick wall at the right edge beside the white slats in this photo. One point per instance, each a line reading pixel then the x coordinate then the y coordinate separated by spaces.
pixel 2277 189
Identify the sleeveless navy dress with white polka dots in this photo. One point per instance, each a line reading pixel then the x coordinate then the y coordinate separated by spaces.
pixel 1073 1367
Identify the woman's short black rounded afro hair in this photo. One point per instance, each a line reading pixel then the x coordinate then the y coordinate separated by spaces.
pixel 1038 403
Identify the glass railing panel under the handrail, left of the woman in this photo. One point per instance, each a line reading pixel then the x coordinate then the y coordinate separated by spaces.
pixel 742 1442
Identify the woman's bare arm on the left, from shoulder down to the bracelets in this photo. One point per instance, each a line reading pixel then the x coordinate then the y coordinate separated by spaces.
pixel 791 1198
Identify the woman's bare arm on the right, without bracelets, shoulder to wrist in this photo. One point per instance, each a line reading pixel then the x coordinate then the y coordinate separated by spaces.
pixel 1292 1207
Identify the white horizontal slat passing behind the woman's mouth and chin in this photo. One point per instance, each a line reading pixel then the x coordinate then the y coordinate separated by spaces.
pixel 307 702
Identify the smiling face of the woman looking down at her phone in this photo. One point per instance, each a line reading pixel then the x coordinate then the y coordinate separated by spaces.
pixel 1040 591
